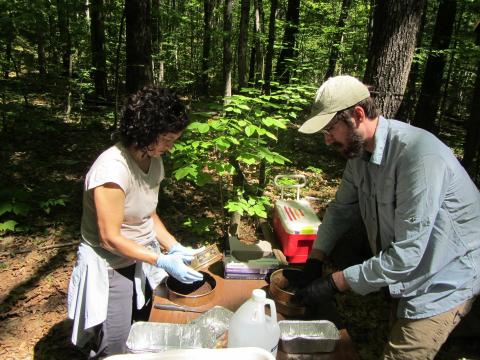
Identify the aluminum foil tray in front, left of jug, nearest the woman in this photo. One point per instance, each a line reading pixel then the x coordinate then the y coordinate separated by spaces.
pixel 145 337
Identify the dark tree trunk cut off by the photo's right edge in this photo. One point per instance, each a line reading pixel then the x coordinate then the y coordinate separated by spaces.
pixel 471 157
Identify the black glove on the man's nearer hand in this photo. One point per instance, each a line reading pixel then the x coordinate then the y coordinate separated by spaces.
pixel 320 291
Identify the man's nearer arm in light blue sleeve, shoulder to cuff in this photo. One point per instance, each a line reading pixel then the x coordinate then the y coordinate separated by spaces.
pixel 419 193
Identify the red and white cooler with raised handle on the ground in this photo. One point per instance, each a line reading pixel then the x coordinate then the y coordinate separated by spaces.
pixel 295 223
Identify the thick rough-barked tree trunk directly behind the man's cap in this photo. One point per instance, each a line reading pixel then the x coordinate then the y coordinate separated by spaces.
pixel 395 26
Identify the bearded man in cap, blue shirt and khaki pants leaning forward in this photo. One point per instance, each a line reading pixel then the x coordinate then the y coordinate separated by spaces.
pixel 421 212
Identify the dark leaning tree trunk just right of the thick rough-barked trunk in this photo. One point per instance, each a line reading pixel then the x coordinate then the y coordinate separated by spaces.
pixel 427 106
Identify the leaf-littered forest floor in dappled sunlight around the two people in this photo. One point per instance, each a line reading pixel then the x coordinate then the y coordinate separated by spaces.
pixel 44 159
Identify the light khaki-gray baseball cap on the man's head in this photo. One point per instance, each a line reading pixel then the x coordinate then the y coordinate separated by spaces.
pixel 335 94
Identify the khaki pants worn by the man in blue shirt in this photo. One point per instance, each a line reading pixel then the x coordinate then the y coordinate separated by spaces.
pixel 422 338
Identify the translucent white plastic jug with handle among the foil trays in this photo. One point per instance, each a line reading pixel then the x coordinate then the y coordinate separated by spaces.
pixel 249 326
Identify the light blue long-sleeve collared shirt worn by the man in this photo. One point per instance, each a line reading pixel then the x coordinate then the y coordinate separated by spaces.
pixel 428 221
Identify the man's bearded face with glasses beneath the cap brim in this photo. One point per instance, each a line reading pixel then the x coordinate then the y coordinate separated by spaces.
pixel 344 138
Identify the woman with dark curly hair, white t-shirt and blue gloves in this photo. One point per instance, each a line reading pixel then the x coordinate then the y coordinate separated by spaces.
pixel 119 258
